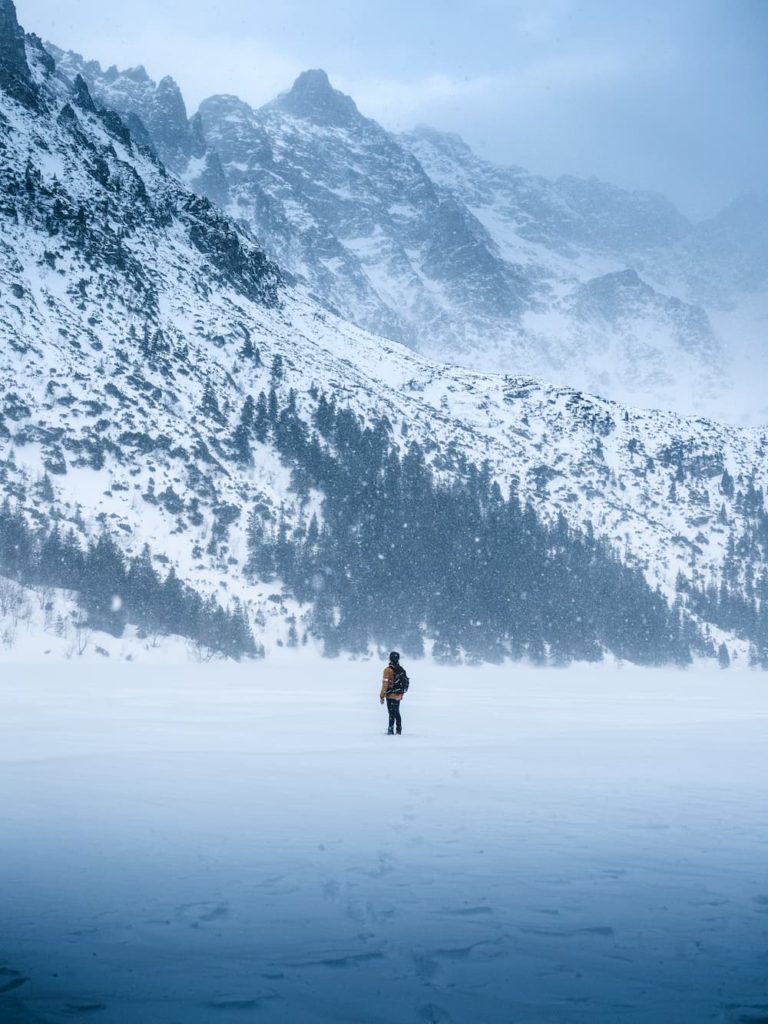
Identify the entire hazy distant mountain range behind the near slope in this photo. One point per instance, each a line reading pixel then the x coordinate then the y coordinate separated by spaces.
pixel 418 239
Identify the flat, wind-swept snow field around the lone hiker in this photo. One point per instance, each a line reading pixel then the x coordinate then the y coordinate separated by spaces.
pixel 233 843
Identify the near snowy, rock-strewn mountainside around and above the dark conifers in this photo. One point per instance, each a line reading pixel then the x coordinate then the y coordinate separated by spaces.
pixel 139 321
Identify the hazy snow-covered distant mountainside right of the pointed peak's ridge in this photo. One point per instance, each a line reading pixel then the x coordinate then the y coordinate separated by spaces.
pixel 656 283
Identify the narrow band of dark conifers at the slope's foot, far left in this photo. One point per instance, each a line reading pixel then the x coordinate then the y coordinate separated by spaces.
pixel 115 590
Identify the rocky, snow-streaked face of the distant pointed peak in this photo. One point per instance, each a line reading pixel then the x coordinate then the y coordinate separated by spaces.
pixel 346 207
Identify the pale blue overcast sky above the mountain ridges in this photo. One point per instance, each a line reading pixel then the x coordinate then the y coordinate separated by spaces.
pixel 670 97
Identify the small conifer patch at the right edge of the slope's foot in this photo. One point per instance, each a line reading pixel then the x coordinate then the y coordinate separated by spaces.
pixel 739 603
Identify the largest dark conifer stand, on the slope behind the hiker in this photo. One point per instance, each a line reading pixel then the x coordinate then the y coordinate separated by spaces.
pixel 398 556
